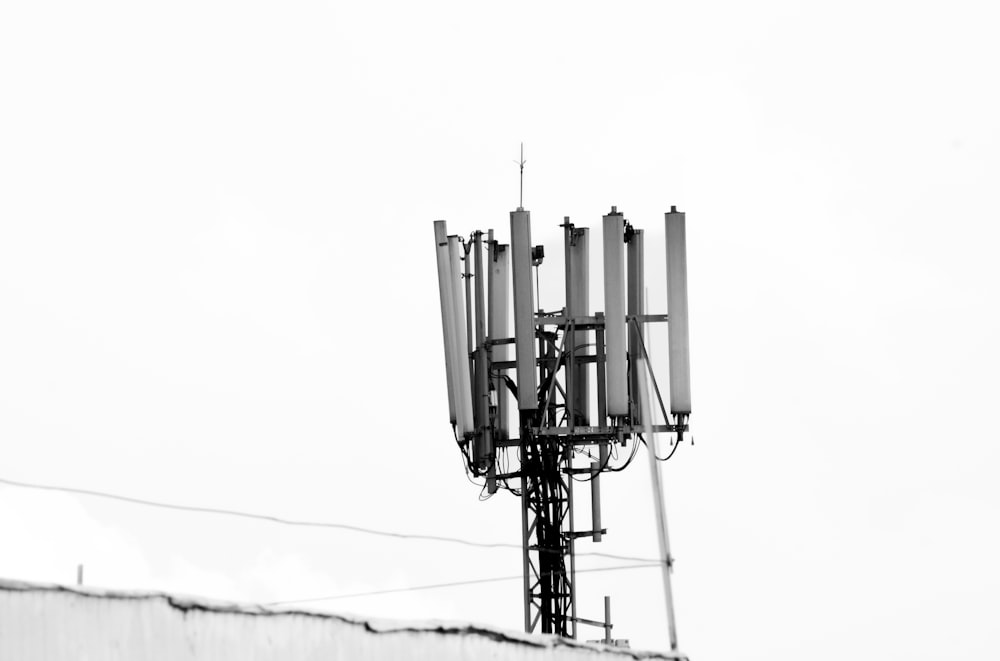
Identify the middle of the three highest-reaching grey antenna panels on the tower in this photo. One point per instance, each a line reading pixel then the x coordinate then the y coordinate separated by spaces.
pixel 614 313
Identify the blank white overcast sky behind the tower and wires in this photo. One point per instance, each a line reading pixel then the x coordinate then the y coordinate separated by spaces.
pixel 218 288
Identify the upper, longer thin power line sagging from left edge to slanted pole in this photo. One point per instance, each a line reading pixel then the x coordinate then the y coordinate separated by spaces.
pixel 292 522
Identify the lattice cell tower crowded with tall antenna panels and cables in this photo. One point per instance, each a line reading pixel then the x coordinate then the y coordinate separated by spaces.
pixel 542 390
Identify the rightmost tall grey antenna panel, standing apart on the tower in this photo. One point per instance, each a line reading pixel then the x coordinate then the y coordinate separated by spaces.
pixel 677 325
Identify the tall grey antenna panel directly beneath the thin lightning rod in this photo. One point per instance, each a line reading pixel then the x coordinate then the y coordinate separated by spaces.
pixel 524 310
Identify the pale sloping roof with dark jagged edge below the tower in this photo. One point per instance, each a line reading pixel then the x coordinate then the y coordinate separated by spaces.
pixel 55 622
